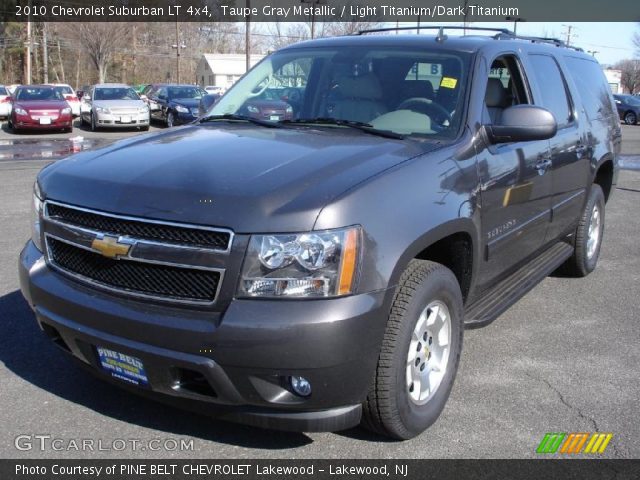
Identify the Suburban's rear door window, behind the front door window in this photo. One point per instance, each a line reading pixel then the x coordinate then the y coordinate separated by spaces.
pixel 552 88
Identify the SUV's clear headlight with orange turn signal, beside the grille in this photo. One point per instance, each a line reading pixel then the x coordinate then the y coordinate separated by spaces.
pixel 314 264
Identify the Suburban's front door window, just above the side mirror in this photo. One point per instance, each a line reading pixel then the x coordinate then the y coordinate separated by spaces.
pixel 505 88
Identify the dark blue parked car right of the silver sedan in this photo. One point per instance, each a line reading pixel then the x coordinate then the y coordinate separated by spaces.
pixel 178 104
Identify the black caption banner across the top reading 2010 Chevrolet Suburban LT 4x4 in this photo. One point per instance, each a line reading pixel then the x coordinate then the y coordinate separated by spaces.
pixel 318 10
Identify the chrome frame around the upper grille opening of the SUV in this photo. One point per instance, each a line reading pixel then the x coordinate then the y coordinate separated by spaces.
pixel 141 220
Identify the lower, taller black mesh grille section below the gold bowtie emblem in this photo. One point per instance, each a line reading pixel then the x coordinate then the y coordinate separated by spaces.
pixel 161 281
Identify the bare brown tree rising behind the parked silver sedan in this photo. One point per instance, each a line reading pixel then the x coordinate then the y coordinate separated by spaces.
pixel 101 41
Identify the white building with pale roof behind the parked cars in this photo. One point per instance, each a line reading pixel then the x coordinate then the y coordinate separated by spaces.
pixel 222 69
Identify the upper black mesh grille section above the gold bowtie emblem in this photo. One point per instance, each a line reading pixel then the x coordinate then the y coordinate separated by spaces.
pixel 139 229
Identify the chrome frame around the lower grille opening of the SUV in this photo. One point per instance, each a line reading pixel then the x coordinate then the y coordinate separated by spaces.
pixel 94 282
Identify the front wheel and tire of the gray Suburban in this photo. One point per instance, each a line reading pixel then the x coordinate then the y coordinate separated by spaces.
pixel 390 408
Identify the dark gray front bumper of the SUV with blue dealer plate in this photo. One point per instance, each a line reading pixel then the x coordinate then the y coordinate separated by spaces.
pixel 242 357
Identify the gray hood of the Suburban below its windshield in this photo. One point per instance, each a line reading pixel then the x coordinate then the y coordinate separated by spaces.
pixel 248 178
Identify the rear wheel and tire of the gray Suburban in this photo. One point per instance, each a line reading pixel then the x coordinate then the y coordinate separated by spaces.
pixel 588 236
